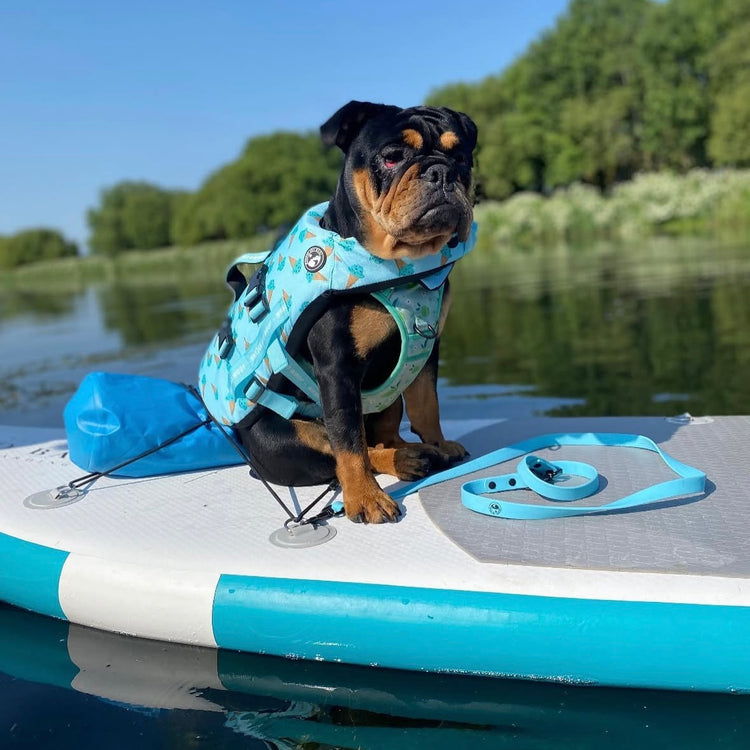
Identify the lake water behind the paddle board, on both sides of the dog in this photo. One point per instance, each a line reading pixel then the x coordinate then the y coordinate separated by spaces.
pixel 660 328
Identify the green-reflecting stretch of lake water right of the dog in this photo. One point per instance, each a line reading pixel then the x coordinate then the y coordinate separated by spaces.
pixel 660 330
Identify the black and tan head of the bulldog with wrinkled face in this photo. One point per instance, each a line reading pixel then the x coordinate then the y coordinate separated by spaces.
pixel 406 187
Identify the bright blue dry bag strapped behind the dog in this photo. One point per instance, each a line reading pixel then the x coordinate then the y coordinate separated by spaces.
pixel 113 418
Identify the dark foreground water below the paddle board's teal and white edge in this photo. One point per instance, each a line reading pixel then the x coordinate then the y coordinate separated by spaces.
pixel 178 694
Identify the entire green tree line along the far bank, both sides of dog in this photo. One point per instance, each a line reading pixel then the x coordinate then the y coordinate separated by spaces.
pixel 613 89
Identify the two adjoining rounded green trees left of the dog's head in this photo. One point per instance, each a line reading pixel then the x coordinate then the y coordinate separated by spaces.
pixel 274 179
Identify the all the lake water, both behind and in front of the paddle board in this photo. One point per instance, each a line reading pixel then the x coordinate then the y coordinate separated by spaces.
pixel 654 329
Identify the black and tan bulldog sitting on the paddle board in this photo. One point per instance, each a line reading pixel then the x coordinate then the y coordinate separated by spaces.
pixel 405 192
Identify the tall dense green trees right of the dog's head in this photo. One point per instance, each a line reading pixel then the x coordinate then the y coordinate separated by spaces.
pixel 615 87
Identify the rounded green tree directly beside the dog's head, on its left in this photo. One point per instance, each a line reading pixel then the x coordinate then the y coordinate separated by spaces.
pixel 274 180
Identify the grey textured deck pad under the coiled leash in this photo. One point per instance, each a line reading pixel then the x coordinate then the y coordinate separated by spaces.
pixel 708 535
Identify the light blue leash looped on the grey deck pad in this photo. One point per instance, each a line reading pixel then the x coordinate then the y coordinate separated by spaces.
pixel 541 476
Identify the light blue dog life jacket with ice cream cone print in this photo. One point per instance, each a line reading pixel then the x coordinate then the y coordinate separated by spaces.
pixel 274 310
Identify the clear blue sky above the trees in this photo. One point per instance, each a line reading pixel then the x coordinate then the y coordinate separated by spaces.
pixel 94 92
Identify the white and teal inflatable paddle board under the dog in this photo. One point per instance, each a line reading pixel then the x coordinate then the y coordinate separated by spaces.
pixel 658 597
